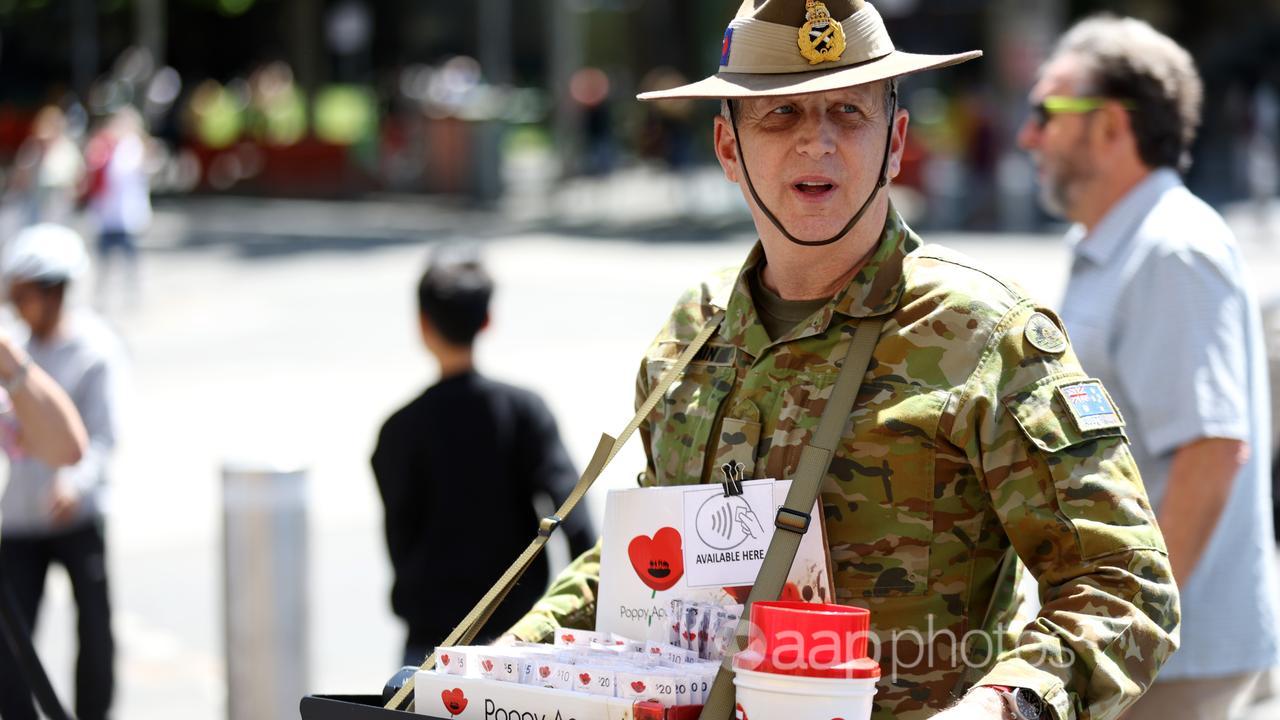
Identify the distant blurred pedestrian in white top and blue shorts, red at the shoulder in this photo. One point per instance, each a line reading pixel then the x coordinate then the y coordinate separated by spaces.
pixel 118 194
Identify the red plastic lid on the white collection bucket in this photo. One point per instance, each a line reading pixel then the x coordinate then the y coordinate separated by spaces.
pixel 808 640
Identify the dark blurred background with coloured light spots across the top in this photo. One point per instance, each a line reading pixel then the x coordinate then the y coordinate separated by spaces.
pixel 349 98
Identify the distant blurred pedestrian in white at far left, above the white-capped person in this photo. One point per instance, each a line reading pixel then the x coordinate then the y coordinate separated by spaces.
pixel 48 170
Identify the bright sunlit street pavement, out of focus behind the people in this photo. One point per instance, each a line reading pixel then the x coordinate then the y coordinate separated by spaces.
pixel 278 331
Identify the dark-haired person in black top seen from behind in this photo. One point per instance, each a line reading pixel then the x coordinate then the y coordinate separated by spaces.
pixel 459 470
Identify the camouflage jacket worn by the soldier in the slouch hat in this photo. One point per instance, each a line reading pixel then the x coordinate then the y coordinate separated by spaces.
pixel 963 450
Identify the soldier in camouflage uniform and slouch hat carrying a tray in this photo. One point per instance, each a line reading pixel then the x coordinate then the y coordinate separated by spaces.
pixel 976 439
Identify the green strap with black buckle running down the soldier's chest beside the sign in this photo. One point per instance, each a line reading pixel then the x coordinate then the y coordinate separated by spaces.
pixel 794 516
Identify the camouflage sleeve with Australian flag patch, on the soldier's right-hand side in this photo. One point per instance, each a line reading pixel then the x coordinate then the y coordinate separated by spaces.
pixel 1068 495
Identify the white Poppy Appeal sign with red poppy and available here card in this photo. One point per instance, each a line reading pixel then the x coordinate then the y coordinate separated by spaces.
pixel 694 543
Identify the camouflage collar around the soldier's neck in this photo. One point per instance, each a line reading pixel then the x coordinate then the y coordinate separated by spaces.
pixel 876 290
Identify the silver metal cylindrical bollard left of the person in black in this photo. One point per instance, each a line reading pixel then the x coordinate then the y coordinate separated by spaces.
pixel 266 590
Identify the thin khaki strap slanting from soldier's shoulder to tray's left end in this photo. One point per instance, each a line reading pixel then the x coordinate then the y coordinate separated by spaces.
pixel 470 627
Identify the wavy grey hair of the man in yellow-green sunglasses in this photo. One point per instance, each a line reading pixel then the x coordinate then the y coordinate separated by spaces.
pixel 1128 60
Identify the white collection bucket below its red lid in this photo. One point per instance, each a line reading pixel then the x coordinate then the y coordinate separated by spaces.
pixel 770 696
